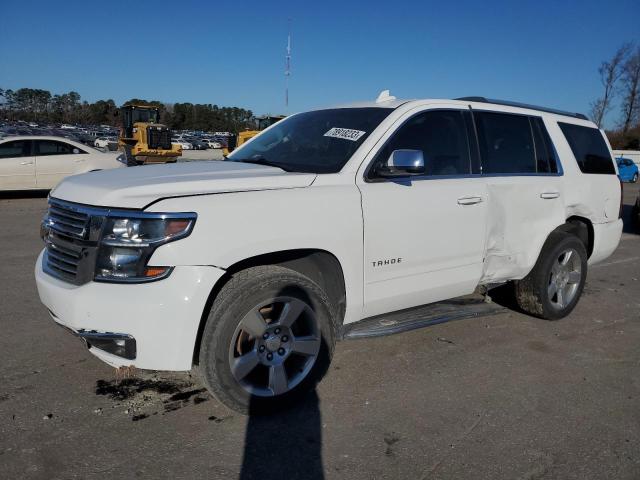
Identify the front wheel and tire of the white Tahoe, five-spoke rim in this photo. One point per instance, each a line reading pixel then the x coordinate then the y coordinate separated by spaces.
pixel 268 339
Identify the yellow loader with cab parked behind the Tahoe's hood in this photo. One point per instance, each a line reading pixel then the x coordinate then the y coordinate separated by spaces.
pixel 143 139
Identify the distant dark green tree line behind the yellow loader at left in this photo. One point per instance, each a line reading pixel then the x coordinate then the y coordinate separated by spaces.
pixel 36 105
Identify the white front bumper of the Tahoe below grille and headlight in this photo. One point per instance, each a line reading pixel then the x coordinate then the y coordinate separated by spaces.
pixel 162 317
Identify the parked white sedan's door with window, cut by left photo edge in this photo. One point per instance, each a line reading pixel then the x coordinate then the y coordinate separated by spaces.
pixel 17 165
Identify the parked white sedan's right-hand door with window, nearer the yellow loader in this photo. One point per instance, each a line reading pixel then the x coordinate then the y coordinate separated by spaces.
pixel 55 160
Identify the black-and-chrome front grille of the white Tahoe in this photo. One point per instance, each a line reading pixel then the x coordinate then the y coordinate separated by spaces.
pixel 70 232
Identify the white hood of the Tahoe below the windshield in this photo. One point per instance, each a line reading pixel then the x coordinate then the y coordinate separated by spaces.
pixel 136 187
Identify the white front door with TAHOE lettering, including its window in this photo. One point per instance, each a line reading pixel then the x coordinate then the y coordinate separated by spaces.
pixel 424 237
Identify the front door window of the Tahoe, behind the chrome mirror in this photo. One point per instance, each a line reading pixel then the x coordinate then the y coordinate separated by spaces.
pixel 442 137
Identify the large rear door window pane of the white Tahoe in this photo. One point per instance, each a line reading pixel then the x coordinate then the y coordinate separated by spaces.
pixel 506 143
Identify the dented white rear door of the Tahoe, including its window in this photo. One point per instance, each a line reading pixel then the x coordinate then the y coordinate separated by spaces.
pixel 524 186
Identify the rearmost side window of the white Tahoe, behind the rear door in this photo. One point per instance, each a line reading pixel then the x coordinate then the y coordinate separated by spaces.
pixel 589 148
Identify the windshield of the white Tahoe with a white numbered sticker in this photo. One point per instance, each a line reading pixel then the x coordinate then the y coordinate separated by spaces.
pixel 313 142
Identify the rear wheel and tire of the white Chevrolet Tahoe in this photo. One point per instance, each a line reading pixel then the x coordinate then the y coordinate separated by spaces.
pixel 552 289
